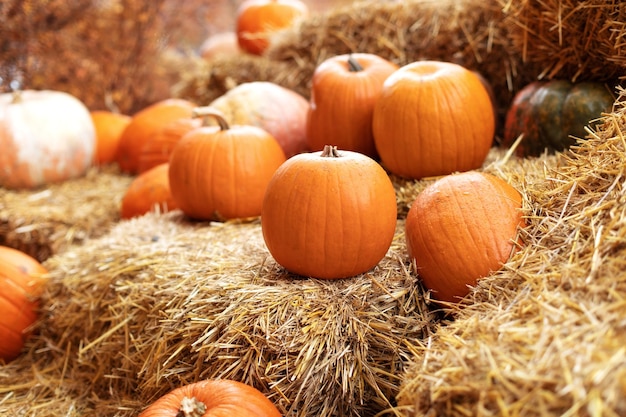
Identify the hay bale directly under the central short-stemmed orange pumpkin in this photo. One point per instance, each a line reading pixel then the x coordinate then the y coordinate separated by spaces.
pixel 160 301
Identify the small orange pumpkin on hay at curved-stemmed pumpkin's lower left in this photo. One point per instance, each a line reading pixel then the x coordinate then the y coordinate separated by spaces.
pixel 149 191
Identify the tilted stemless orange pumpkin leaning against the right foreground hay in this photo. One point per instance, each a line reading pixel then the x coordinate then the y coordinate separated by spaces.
pixel 462 228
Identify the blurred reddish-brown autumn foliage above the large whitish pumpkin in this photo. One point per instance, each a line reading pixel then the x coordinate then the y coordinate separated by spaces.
pixel 112 54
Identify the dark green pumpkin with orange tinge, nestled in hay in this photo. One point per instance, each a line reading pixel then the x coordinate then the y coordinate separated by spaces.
pixel 553 114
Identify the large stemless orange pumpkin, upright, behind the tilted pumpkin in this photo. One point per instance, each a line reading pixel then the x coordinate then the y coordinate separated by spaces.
pixel 433 118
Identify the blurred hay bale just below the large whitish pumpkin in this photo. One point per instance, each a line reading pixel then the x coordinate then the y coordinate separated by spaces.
pixel 47 220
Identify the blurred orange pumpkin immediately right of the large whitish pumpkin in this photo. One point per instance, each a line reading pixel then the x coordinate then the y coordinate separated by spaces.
pixel 109 127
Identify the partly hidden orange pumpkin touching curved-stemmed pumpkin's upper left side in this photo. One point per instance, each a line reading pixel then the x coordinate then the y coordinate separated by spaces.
pixel 158 149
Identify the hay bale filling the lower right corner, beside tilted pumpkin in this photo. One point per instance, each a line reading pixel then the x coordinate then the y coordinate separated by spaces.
pixel 546 335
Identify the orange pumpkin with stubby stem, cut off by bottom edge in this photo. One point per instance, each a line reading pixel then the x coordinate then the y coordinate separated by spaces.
pixel 215 398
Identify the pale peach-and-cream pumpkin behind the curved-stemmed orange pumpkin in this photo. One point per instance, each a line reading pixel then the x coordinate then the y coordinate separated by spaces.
pixel 278 110
